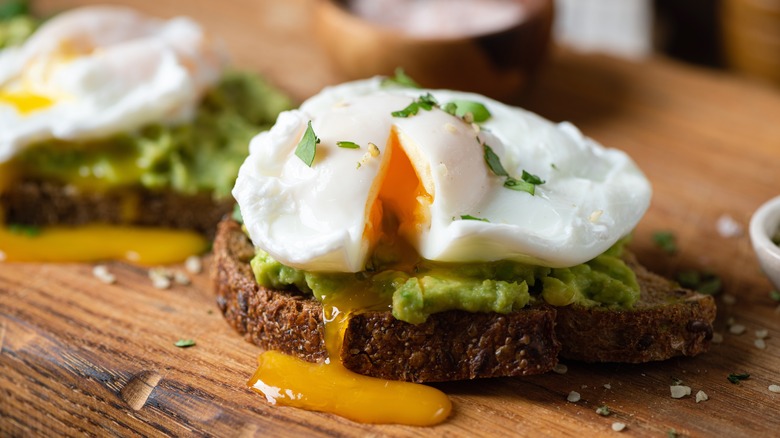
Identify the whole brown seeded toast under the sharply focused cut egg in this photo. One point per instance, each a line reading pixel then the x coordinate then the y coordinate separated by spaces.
pixel 457 345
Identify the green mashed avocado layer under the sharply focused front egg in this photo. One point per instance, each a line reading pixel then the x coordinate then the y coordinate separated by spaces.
pixel 501 287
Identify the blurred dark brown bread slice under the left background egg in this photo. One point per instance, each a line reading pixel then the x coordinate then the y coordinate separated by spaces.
pixel 42 203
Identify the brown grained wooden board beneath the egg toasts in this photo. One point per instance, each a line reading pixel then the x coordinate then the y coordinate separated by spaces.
pixel 81 357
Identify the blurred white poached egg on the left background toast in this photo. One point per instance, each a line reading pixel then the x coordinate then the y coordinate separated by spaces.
pixel 104 70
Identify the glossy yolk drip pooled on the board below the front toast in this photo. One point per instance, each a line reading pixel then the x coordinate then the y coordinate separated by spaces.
pixel 330 387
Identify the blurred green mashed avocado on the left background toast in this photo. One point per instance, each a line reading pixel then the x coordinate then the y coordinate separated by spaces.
pixel 201 156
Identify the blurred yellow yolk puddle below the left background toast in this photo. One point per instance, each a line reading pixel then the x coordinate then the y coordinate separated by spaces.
pixel 90 243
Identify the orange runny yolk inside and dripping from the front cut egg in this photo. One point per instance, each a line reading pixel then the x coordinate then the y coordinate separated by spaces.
pixel 329 386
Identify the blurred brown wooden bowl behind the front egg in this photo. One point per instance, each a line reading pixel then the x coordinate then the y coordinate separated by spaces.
pixel 498 64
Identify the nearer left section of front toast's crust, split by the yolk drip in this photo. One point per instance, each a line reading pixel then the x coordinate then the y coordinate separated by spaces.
pixel 451 345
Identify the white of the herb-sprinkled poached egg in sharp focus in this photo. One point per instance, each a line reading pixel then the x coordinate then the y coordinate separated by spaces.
pixel 315 217
